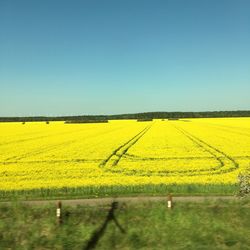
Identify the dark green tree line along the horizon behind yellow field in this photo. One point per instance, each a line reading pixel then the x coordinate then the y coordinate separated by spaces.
pixel 146 115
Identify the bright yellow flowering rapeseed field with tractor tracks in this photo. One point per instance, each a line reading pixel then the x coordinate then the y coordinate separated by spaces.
pixel 123 155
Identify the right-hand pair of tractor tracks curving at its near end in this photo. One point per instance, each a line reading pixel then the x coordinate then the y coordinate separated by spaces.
pixel 204 145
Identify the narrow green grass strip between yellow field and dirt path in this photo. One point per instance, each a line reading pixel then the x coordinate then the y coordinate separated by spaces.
pixel 105 191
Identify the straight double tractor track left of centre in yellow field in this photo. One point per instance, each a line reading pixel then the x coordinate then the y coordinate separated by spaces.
pixel 121 150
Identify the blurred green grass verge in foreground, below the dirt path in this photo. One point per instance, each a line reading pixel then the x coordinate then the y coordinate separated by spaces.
pixel 208 225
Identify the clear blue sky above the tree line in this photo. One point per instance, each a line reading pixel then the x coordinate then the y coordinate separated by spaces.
pixel 123 56
